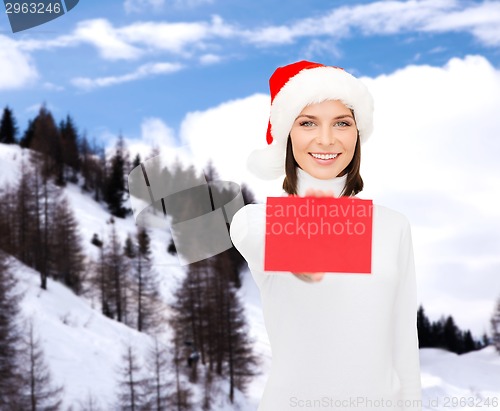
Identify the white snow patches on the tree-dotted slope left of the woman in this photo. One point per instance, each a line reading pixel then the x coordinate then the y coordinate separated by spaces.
pixel 83 347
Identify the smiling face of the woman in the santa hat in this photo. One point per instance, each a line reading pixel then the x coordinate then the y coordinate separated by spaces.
pixel 324 138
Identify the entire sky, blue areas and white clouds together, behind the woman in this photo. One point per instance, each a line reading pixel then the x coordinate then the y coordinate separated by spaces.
pixel 195 73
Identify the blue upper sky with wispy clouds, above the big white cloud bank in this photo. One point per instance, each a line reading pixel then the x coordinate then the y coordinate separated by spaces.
pixel 180 56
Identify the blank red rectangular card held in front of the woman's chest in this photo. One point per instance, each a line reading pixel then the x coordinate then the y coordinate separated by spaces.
pixel 318 234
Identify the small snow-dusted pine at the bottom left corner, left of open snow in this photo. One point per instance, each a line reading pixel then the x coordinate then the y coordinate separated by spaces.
pixel 39 393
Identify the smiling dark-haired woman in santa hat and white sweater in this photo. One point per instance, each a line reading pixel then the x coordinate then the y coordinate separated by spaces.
pixel 339 340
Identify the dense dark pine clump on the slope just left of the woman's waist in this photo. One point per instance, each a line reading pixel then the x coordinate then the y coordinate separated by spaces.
pixel 209 315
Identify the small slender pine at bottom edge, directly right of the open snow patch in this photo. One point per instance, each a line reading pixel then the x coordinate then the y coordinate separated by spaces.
pixel 131 397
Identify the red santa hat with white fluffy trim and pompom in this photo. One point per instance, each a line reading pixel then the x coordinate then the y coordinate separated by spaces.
pixel 295 86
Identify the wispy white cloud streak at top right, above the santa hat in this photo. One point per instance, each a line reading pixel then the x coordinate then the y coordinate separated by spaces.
pixel 390 17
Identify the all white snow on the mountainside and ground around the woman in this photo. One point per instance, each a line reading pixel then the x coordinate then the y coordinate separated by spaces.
pixel 84 348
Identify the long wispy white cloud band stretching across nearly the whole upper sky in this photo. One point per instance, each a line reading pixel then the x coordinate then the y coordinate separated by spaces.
pixel 193 38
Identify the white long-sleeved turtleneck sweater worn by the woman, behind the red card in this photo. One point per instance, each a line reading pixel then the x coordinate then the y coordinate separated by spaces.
pixel 348 342
